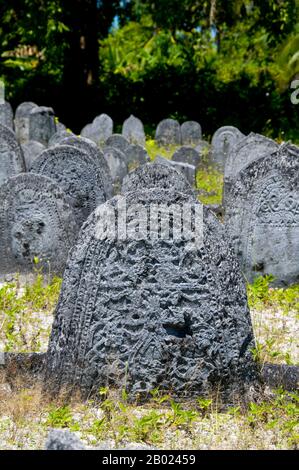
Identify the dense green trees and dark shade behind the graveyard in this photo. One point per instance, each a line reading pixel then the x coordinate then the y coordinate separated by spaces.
pixel 216 61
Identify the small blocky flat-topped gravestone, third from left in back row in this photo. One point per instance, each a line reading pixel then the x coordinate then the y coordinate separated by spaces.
pixel 41 124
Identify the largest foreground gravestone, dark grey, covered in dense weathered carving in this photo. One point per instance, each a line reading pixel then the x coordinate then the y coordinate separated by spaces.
pixel 142 312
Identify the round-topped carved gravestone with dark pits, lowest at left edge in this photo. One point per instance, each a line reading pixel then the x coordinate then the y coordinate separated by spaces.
pixel 35 221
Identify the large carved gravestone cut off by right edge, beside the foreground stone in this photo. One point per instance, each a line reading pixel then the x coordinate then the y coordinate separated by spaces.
pixel 262 216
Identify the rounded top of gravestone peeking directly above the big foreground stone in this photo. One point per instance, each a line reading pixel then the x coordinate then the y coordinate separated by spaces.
pixel 157 175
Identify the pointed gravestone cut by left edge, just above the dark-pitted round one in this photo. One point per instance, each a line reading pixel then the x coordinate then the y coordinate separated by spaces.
pixel 11 155
